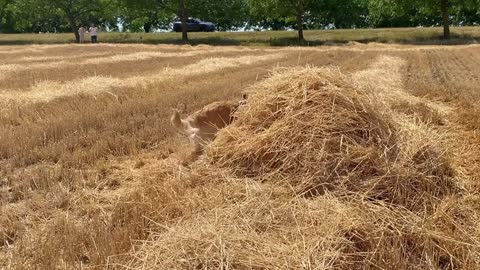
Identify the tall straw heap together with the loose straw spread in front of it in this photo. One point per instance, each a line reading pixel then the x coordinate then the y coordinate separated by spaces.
pixel 314 173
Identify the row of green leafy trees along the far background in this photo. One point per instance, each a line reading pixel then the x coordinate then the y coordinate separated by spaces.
pixel 20 16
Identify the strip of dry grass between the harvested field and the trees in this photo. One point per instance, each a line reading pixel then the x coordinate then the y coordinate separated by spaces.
pixel 414 36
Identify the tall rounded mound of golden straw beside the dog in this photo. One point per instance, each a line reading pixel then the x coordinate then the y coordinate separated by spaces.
pixel 313 130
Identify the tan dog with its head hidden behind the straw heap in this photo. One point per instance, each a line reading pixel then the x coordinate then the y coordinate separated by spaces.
pixel 202 126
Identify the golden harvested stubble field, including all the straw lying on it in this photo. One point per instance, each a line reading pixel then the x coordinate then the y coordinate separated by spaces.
pixel 345 157
